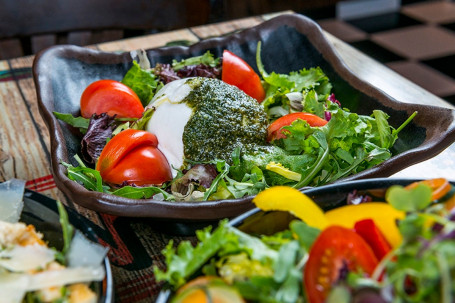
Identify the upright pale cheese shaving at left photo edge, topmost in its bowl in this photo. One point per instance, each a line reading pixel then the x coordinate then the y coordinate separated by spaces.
pixel 11 200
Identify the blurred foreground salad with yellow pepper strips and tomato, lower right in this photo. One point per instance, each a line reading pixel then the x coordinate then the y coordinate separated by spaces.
pixel 398 250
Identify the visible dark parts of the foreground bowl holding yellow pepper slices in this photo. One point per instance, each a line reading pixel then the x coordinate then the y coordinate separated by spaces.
pixel 258 222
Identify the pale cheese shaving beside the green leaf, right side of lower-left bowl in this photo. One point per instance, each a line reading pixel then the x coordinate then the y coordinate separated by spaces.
pixel 84 252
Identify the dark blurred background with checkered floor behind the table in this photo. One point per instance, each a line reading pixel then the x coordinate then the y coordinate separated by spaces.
pixel 416 38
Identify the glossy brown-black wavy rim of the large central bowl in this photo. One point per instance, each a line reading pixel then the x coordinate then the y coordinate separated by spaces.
pixel 185 211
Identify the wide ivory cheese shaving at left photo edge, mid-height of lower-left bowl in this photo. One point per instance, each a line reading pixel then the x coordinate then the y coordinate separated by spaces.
pixel 25 258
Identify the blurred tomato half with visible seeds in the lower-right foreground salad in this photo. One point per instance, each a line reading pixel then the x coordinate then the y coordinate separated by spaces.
pixel 333 248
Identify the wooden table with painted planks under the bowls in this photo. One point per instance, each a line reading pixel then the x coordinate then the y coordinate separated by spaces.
pixel 25 150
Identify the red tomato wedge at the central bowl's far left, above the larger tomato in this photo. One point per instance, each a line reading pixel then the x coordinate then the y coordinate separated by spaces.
pixel 111 97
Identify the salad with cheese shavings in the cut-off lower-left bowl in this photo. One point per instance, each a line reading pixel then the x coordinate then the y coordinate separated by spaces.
pixel 30 270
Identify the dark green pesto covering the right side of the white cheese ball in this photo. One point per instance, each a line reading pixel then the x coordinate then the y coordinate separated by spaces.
pixel 224 117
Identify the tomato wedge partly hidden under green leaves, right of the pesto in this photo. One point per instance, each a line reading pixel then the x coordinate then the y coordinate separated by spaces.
pixel 275 132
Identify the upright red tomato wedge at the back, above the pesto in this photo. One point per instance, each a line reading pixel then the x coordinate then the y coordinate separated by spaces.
pixel 237 72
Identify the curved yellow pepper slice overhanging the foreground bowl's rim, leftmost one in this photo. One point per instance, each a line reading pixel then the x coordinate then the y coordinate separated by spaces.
pixel 289 199
